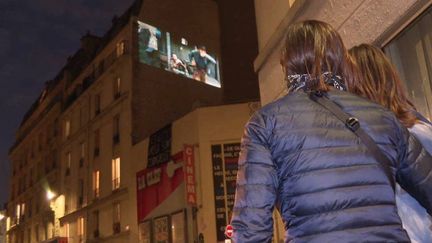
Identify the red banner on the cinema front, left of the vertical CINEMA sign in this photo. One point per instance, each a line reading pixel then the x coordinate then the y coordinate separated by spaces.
pixel 155 184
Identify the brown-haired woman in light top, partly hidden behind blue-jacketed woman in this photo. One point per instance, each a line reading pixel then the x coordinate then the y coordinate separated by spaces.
pixel 379 82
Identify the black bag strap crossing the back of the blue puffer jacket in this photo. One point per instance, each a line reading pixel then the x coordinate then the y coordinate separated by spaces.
pixel 353 124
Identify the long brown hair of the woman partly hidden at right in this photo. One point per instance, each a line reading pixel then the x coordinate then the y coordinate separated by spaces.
pixel 379 82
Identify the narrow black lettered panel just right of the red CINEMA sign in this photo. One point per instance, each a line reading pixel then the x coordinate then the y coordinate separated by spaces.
pixel 219 191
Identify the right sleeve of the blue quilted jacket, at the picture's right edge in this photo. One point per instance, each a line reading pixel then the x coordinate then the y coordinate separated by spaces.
pixel 415 173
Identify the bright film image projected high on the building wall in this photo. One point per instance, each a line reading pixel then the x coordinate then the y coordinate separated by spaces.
pixel 175 54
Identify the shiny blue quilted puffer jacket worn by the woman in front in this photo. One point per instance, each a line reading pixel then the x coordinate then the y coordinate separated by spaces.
pixel 326 185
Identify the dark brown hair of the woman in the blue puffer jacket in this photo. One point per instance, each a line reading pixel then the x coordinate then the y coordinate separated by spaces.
pixel 314 47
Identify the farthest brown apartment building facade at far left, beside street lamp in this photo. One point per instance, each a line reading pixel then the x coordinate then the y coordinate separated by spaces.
pixel 35 170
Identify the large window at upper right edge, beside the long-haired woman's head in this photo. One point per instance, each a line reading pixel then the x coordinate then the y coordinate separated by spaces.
pixel 411 53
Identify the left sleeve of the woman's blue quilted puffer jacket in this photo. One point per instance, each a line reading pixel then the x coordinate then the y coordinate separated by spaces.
pixel 256 185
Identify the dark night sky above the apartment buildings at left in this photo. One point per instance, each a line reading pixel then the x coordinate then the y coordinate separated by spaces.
pixel 36 37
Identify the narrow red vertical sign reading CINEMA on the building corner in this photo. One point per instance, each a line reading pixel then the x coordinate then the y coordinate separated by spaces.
pixel 189 172
